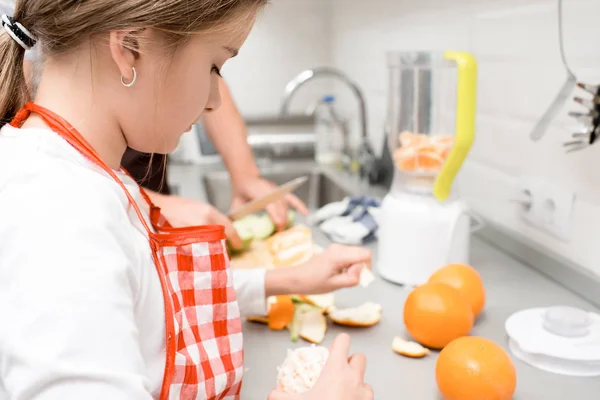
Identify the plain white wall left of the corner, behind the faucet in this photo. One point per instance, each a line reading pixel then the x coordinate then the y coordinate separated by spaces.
pixel 290 36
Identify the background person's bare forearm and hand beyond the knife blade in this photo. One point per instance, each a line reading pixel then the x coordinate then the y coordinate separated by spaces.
pixel 227 131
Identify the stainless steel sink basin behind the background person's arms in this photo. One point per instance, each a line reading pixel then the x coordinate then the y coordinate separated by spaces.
pixel 318 191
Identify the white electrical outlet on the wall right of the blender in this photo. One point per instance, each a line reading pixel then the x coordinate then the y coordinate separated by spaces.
pixel 547 206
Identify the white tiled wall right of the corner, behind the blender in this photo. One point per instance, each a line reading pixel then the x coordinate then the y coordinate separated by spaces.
pixel 520 72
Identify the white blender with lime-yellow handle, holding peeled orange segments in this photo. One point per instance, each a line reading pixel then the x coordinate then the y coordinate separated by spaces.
pixel 430 127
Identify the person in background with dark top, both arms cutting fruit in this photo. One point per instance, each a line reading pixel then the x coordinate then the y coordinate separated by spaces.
pixel 227 130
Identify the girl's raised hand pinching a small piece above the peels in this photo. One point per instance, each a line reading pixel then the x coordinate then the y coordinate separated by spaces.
pixel 337 267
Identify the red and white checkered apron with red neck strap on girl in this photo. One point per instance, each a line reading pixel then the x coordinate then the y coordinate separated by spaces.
pixel 204 354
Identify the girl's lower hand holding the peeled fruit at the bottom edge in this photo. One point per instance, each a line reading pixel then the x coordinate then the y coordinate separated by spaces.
pixel 342 377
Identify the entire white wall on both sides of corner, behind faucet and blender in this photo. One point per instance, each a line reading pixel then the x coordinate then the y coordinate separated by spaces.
pixel 516 44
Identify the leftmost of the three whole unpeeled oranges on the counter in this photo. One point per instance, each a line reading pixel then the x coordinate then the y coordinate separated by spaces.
pixel 435 314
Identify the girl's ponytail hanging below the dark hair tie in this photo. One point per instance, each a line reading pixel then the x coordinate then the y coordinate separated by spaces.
pixel 13 85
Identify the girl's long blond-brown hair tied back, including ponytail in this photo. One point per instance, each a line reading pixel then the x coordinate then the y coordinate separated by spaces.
pixel 62 25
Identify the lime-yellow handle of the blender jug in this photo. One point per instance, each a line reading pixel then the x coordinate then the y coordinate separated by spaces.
pixel 465 122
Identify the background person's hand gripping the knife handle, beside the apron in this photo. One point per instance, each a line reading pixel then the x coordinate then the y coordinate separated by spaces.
pixel 182 212
